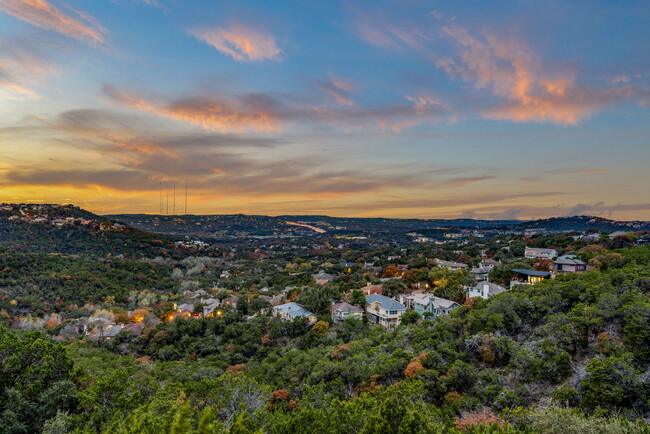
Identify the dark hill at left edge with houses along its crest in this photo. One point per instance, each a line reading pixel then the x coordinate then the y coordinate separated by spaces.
pixel 71 230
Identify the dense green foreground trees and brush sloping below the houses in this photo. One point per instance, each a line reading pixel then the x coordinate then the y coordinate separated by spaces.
pixel 567 355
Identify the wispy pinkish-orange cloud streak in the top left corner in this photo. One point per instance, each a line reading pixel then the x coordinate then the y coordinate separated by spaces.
pixel 40 13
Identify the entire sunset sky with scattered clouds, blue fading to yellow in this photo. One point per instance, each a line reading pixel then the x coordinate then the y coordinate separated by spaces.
pixel 515 109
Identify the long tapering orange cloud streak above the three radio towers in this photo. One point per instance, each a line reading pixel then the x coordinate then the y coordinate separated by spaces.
pixel 254 114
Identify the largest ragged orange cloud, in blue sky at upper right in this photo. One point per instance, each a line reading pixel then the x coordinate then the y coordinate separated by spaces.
pixel 509 69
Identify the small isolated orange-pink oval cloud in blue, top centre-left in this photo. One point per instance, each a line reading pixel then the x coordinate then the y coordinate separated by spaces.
pixel 240 42
